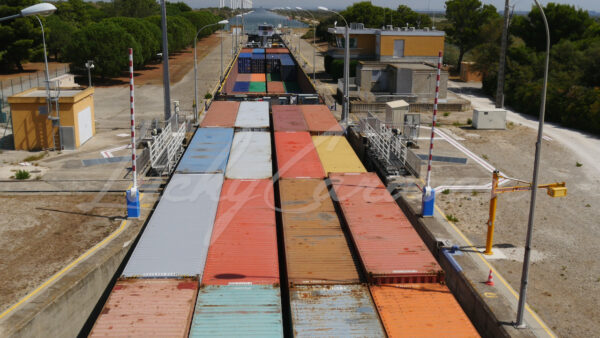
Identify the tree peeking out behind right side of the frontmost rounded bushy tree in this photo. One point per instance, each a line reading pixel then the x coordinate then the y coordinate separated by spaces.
pixel 145 33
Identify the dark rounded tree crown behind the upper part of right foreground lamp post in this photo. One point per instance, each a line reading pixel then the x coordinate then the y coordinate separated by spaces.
pixel 564 21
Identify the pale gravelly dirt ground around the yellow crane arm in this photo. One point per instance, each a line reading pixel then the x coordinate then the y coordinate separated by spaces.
pixel 564 283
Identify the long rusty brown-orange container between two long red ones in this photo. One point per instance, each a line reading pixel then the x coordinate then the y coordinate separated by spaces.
pixel 316 249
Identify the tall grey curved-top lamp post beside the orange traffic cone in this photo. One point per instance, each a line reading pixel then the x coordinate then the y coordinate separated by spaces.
pixel 534 184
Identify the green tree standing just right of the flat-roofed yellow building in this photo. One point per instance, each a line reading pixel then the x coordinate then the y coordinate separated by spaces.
pixel 467 17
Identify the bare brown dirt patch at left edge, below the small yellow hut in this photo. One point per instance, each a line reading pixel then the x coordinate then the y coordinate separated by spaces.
pixel 41 234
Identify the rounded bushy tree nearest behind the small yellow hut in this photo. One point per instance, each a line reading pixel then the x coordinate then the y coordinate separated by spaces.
pixel 107 45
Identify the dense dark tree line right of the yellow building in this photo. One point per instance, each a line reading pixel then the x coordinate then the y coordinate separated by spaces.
pixel 573 97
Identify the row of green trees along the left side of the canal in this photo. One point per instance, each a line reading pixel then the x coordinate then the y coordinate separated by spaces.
pixel 100 31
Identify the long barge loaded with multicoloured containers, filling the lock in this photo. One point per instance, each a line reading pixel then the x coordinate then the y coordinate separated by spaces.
pixel 271 226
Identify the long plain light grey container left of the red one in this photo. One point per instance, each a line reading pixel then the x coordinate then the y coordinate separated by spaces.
pixel 176 239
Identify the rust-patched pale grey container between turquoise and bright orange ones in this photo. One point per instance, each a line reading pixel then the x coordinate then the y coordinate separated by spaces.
pixel 334 311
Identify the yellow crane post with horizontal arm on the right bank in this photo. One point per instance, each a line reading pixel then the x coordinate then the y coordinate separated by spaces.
pixel 553 189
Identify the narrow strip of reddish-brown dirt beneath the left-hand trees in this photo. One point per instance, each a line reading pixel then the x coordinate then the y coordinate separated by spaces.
pixel 180 64
